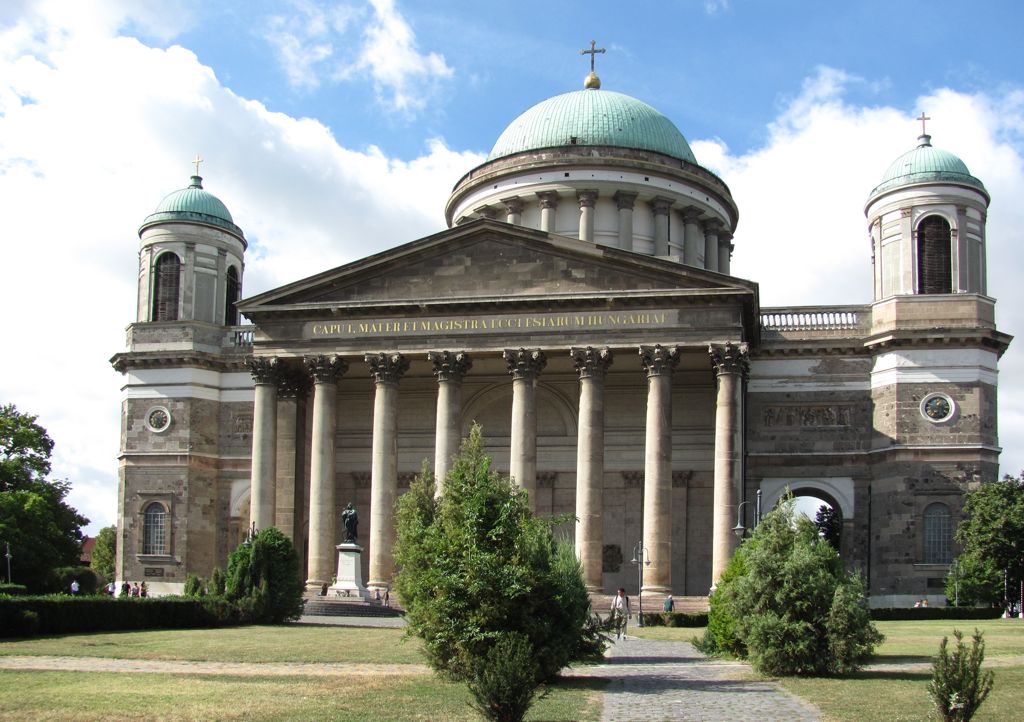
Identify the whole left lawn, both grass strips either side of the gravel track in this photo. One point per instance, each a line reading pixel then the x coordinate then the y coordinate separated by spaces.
pixel 108 696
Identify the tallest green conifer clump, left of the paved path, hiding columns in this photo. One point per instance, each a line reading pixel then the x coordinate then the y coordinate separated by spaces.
pixel 484 582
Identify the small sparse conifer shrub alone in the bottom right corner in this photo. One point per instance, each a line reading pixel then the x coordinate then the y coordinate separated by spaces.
pixel 959 687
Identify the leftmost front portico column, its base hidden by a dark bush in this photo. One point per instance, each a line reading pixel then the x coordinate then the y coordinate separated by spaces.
pixel 265 458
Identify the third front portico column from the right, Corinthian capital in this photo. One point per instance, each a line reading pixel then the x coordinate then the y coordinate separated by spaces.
pixel 591 365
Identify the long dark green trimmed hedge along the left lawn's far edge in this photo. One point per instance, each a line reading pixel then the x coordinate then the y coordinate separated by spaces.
pixel 22 617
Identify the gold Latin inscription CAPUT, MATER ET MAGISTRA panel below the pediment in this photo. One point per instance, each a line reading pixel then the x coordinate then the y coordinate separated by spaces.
pixel 541 322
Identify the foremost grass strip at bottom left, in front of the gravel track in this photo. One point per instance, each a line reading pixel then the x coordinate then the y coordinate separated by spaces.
pixel 101 696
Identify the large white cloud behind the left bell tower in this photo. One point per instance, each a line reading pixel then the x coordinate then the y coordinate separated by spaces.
pixel 95 131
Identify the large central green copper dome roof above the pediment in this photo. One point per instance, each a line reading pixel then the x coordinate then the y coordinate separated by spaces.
pixel 592 117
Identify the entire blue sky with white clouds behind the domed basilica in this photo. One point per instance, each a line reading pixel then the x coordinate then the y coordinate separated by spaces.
pixel 334 130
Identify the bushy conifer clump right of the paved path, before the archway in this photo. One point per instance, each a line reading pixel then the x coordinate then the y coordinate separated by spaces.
pixel 787 606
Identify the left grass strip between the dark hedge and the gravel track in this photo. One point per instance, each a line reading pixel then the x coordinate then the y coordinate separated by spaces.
pixel 249 645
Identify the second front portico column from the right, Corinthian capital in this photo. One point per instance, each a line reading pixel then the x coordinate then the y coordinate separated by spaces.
pixel 659 363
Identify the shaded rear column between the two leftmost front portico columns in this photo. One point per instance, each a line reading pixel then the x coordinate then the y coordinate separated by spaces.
pixel 292 391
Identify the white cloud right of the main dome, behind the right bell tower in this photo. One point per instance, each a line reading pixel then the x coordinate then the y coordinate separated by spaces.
pixel 802 233
